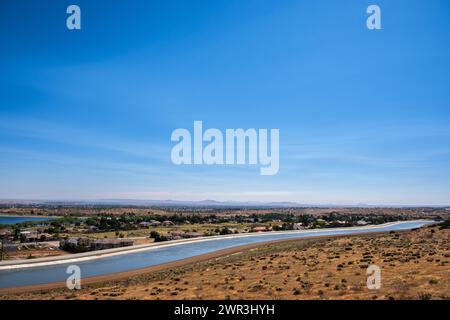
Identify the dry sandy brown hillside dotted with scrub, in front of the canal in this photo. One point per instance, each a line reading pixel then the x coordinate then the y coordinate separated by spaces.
pixel 414 265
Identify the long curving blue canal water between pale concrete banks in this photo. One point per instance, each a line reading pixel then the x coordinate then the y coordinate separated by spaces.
pixel 154 256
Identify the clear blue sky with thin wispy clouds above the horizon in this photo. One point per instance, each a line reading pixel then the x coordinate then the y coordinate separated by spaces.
pixel 363 115
